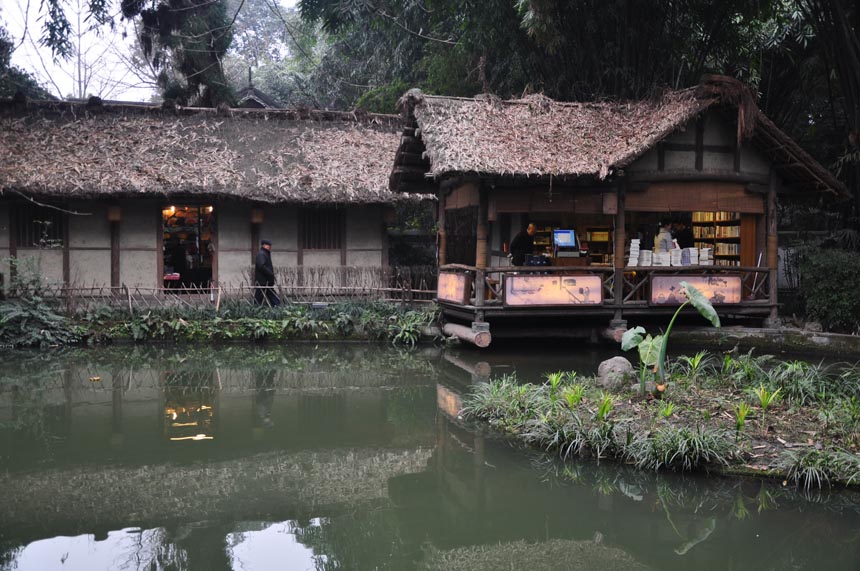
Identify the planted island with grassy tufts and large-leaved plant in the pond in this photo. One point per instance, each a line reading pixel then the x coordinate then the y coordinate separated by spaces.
pixel 732 413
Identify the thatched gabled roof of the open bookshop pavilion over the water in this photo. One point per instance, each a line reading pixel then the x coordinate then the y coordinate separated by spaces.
pixel 538 137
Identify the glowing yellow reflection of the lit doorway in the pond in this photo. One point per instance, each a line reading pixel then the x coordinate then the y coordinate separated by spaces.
pixel 190 405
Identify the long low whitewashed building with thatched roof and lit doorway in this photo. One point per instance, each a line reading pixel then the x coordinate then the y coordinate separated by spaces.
pixel 110 194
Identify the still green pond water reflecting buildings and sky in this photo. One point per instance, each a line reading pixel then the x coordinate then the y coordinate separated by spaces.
pixel 348 456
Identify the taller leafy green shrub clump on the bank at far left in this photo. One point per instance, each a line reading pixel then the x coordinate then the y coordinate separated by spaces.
pixel 29 318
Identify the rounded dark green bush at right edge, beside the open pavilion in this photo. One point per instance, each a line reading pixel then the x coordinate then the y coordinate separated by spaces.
pixel 827 287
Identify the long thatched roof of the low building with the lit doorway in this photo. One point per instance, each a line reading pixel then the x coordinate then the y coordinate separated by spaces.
pixel 74 150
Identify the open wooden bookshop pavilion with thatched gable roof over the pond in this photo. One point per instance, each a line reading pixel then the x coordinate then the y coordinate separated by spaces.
pixel 608 173
